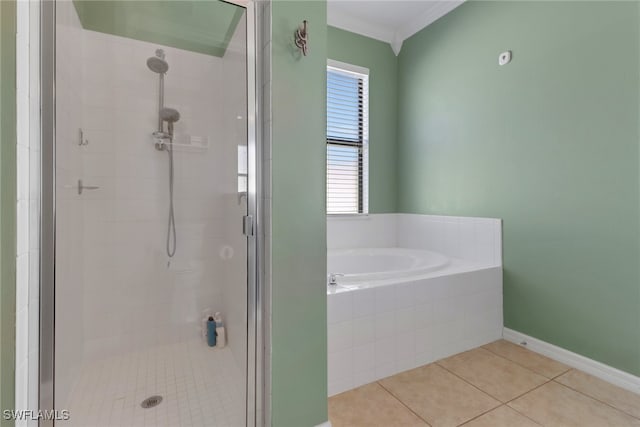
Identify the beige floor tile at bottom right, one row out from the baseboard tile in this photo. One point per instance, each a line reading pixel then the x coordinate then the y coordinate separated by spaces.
pixel 554 405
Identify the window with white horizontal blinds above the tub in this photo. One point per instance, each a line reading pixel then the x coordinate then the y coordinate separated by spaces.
pixel 347 138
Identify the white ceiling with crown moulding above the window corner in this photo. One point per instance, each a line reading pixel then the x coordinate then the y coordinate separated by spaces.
pixel 391 21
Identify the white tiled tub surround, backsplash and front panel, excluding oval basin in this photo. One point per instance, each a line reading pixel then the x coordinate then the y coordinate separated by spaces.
pixel 380 328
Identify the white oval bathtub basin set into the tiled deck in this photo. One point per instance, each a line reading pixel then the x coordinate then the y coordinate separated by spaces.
pixel 368 266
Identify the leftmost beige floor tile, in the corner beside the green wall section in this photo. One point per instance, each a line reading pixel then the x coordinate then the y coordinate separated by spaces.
pixel 370 406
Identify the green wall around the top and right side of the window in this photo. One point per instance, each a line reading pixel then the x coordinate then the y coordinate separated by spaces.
pixel 378 57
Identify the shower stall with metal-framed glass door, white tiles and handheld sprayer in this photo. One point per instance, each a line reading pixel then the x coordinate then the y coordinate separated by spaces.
pixel 149 202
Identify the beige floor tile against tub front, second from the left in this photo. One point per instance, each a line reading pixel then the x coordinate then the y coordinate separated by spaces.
pixel 439 397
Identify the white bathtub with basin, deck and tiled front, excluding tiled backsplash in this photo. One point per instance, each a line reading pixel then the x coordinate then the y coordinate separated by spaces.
pixel 397 308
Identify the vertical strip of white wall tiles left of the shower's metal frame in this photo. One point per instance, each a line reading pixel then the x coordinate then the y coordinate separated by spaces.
pixel 27 208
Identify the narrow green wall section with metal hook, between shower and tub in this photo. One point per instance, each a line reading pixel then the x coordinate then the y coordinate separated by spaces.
pixel 299 250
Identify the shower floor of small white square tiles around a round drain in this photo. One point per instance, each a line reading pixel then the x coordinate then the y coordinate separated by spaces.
pixel 200 386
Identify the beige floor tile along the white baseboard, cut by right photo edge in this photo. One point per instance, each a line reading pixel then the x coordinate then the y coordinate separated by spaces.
pixel 601 390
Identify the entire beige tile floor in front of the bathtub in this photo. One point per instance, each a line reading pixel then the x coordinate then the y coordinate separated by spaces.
pixel 499 384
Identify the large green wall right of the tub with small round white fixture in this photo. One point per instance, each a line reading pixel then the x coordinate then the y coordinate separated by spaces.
pixel 549 143
